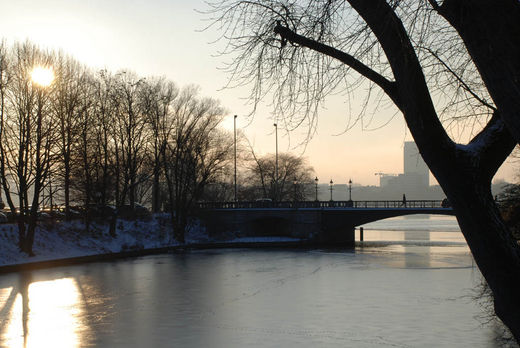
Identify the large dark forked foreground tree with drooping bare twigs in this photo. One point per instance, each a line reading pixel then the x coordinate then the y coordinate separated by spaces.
pixel 303 51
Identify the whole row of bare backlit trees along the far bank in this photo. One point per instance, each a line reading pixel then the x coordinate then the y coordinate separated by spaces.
pixel 94 139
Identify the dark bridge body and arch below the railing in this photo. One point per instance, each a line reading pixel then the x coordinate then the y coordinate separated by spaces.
pixel 322 225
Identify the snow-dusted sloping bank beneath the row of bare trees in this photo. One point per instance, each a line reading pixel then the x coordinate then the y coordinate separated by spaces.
pixel 64 240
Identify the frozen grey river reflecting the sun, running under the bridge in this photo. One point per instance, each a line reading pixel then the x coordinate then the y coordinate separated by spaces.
pixel 411 284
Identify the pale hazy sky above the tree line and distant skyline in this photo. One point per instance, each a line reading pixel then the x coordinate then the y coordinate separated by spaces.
pixel 163 38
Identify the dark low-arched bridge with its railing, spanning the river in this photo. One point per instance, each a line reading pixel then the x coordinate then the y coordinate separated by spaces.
pixel 325 222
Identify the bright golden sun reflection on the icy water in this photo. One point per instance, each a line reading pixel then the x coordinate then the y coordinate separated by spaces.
pixel 43 314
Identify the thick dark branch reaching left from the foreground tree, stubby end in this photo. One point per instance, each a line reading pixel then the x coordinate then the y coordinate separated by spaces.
pixel 387 85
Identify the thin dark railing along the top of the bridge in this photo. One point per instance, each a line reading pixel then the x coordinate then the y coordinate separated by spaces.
pixel 411 204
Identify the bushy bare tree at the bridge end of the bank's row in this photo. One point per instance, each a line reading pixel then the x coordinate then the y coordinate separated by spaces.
pixel 193 154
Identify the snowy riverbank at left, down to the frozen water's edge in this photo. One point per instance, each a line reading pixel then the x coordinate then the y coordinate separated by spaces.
pixel 65 243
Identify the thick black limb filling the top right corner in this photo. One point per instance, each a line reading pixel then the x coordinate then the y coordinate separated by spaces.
pixel 490 32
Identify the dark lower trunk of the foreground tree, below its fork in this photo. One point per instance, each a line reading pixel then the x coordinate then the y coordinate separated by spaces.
pixel 492 245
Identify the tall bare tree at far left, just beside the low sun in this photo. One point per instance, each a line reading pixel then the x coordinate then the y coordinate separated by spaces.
pixel 29 136
